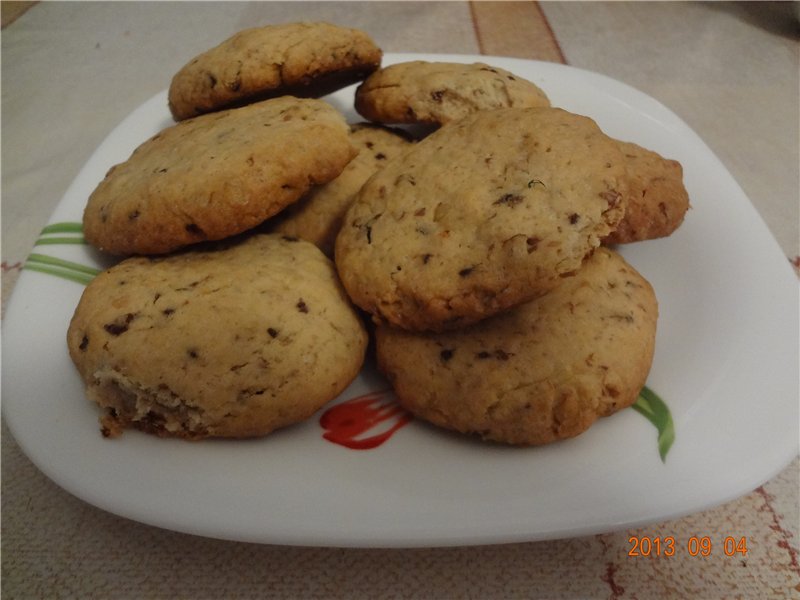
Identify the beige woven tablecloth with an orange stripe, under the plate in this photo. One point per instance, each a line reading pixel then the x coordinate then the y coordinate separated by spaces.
pixel 72 71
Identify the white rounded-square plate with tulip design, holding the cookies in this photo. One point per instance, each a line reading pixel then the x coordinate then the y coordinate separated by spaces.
pixel 726 365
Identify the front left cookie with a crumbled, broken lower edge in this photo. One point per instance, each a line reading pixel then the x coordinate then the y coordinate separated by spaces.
pixel 230 341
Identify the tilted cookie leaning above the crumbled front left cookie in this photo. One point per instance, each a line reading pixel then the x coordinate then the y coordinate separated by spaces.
pixel 216 175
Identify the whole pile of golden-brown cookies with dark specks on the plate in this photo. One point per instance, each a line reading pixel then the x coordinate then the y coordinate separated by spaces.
pixel 263 227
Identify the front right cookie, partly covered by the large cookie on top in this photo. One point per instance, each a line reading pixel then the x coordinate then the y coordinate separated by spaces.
pixel 541 372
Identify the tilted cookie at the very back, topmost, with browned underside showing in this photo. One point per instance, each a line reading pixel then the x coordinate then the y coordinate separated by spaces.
pixel 301 59
